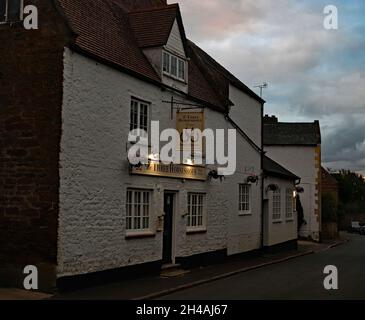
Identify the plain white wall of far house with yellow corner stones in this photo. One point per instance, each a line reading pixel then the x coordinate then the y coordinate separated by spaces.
pixel 301 160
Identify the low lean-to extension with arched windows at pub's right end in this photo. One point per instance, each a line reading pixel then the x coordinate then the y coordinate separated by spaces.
pixel 280 216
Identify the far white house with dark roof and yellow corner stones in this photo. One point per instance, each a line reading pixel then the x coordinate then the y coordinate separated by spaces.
pixel 297 147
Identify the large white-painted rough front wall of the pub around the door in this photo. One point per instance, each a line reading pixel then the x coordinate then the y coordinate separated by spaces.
pixel 94 178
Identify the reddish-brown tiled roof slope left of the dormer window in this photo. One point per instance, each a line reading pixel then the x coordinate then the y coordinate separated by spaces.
pixel 103 30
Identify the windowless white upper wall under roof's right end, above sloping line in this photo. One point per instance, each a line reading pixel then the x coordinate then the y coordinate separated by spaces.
pixel 247 113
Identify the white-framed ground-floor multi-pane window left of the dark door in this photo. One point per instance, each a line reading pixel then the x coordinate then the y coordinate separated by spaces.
pixel 130 207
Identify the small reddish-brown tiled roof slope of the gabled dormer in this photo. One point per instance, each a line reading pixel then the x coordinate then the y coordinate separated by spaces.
pixel 152 28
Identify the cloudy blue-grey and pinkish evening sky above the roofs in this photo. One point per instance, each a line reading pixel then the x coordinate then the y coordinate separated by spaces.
pixel 313 73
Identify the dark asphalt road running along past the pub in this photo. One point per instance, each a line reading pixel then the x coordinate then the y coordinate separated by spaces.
pixel 301 278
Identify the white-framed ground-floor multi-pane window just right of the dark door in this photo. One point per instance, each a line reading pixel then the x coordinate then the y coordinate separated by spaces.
pixel 202 212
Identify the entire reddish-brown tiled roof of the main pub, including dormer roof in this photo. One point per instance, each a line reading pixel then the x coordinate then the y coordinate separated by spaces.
pixel 115 31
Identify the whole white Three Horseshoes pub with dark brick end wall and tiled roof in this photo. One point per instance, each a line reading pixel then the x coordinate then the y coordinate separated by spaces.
pixel 71 91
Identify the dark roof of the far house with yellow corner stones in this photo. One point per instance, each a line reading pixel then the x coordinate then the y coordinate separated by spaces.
pixel 301 134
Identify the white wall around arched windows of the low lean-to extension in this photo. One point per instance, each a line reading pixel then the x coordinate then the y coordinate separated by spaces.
pixel 285 230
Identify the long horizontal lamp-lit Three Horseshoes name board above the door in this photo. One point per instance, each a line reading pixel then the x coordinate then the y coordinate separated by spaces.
pixel 171 171
